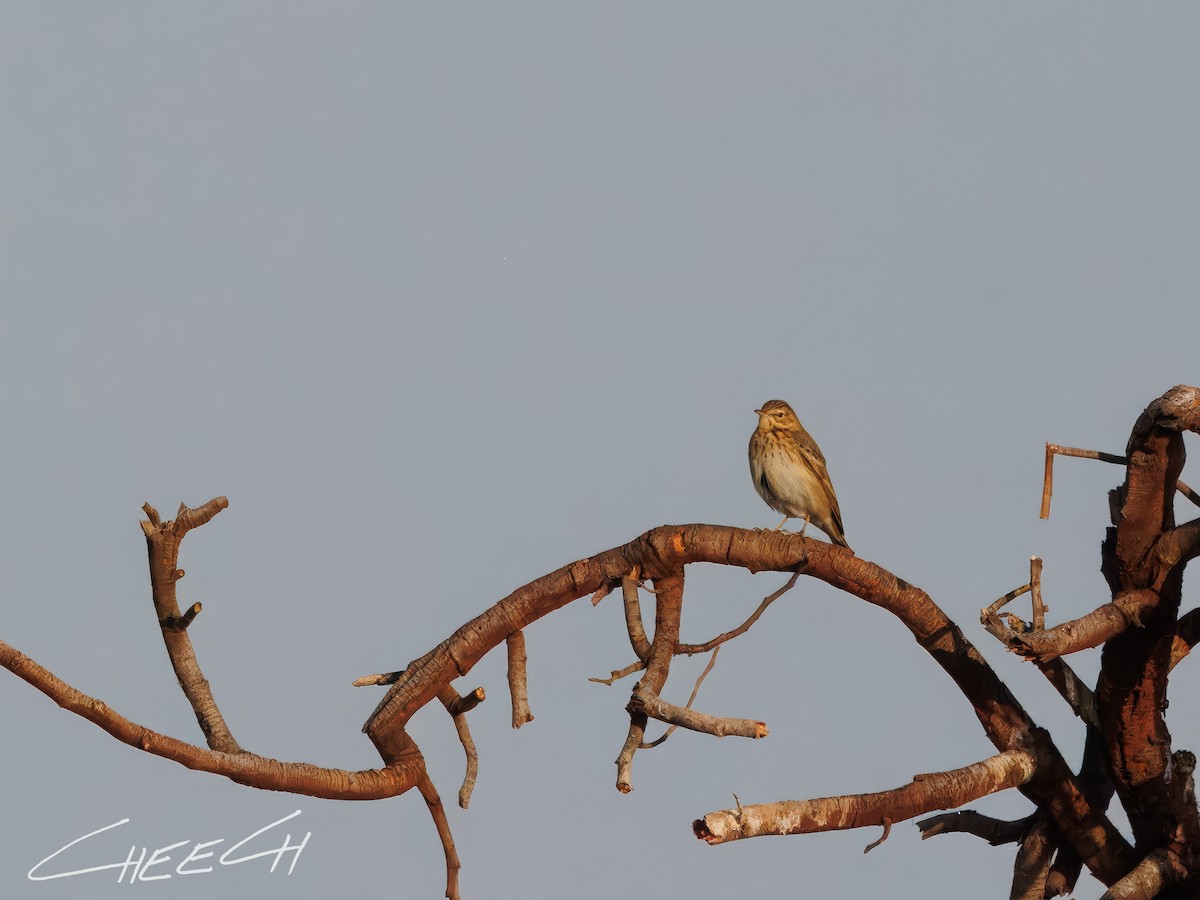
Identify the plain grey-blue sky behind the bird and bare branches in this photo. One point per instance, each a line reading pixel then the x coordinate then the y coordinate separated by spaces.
pixel 447 296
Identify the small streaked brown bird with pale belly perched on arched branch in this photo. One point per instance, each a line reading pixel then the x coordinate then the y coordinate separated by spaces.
pixel 790 472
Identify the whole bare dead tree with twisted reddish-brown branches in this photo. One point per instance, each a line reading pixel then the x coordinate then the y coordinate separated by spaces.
pixel 1129 754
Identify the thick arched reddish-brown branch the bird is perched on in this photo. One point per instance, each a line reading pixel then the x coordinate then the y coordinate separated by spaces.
pixel 669 549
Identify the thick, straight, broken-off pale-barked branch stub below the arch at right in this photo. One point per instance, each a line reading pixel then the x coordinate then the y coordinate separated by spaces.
pixel 926 794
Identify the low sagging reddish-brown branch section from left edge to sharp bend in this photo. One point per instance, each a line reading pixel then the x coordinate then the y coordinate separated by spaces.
pixel 245 769
